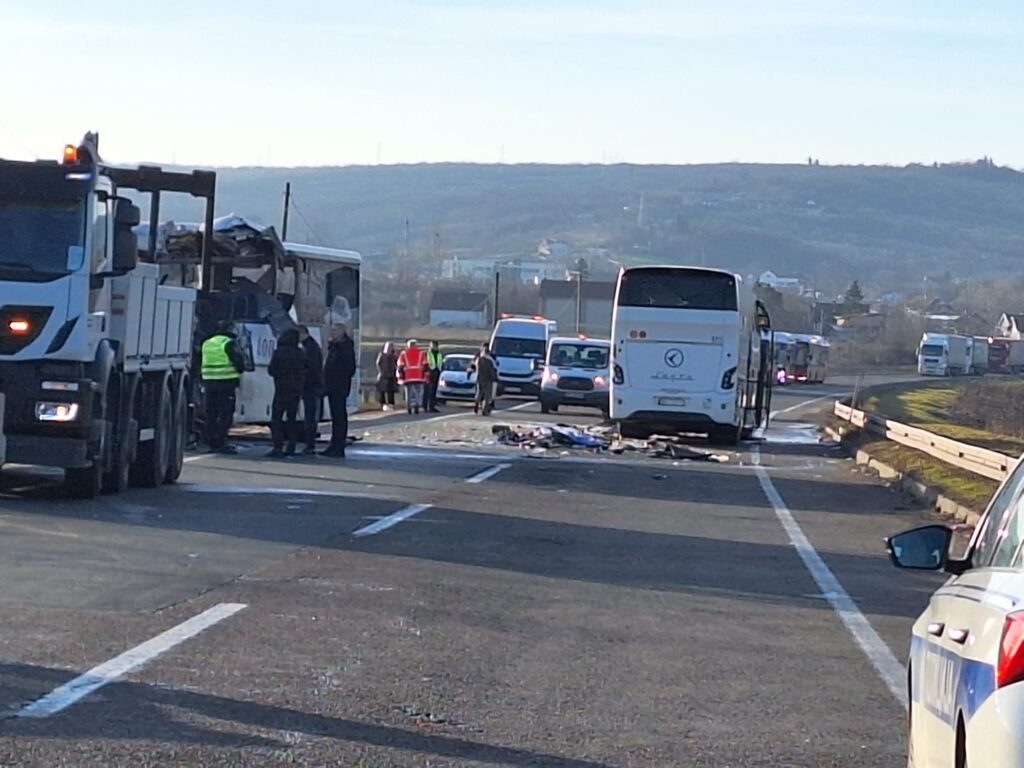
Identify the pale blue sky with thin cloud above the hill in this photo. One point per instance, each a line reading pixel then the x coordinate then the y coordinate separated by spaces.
pixel 337 82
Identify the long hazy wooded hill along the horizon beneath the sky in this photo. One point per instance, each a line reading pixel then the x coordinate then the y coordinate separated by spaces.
pixel 887 227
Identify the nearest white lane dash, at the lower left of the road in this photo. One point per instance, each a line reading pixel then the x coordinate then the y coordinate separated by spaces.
pixel 109 672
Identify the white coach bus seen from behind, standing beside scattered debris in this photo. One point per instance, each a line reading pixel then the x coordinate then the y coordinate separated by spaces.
pixel 693 353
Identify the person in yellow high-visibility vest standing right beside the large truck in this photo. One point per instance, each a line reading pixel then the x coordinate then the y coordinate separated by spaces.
pixel 222 371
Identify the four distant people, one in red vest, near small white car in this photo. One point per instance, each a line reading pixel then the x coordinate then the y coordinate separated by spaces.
pixel 419 374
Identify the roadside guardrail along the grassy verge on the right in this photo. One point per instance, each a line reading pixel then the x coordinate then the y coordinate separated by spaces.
pixel 982 461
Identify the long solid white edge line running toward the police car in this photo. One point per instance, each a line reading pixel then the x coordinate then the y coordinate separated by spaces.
pixel 893 673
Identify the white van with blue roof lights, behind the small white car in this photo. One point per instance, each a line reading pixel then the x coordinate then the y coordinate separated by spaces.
pixel 520 346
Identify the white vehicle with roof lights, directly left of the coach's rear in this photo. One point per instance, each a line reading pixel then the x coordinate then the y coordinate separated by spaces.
pixel 576 374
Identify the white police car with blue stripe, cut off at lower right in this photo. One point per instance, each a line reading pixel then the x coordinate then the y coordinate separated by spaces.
pixel 966 673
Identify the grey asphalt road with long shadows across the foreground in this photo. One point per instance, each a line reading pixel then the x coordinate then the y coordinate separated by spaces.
pixel 416 606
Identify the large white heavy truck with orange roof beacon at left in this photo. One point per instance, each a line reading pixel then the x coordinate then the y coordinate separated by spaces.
pixel 95 347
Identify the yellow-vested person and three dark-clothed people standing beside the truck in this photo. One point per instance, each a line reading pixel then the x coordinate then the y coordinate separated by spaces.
pixel 303 375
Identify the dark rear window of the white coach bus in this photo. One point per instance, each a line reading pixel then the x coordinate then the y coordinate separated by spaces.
pixel 680 289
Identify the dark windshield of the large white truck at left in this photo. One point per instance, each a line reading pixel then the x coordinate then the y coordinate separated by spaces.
pixel 35 236
